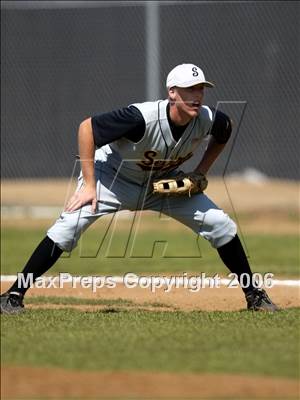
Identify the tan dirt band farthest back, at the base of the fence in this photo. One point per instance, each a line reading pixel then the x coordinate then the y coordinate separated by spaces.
pixel 271 206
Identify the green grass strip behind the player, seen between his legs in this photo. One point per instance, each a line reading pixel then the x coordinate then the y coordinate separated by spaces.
pixel 267 253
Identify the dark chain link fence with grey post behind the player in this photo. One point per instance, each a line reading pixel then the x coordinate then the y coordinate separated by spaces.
pixel 65 61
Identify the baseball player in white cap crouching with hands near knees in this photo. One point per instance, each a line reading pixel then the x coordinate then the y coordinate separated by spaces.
pixel 130 160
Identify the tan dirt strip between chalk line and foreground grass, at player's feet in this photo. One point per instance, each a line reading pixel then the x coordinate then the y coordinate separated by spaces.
pixel 207 299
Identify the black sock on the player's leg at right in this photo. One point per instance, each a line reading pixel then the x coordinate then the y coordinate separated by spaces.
pixel 235 259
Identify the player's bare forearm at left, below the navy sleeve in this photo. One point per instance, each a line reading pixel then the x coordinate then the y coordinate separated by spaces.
pixel 87 152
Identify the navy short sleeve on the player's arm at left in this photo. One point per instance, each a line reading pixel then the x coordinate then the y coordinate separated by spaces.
pixel 126 122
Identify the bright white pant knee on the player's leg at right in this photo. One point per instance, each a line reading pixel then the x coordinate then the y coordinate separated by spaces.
pixel 216 226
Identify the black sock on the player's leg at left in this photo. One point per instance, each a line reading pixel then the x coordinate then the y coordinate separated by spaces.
pixel 44 256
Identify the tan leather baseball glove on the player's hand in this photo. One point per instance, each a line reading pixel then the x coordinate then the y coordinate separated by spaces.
pixel 181 185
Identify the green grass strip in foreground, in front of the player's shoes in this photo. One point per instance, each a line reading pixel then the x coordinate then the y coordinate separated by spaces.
pixel 215 342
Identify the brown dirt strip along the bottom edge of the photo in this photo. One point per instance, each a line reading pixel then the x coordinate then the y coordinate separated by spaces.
pixel 30 383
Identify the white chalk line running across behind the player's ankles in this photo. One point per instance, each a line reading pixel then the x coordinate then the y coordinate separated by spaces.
pixel 163 280
